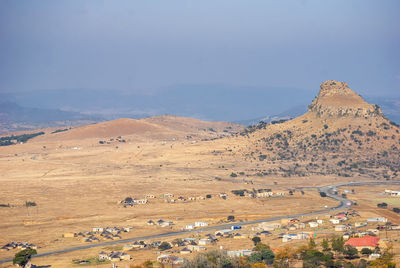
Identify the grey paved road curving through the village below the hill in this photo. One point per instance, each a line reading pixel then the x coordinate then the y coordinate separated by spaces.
pixel 329 189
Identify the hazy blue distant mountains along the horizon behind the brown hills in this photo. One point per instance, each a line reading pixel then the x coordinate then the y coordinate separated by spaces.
pixel 243 105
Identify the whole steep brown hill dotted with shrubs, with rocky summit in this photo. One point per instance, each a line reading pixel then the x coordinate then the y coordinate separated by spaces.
pixel 340 134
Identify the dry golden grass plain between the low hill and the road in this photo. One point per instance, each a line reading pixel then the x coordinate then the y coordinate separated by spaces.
pixel 78 189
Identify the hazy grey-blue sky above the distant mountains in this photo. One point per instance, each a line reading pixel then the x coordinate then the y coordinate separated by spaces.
pixel 144 46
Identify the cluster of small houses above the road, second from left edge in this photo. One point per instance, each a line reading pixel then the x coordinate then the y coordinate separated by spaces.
pixel 97 233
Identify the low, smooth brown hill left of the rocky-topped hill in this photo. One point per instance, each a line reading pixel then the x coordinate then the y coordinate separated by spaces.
pixel 155 128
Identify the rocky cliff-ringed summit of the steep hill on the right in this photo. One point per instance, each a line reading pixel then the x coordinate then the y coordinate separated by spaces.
pixel 336 99
